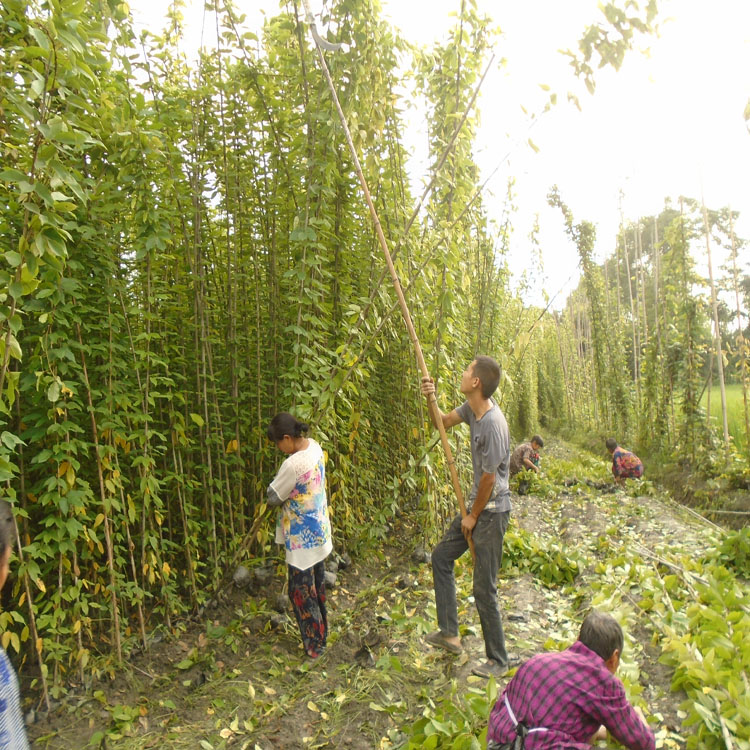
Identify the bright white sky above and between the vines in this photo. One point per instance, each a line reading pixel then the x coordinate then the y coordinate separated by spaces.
pixel 669 123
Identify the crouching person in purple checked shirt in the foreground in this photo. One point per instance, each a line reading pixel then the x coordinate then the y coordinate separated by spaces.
pixel 567 700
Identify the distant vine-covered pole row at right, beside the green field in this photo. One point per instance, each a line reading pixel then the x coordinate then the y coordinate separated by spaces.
pixel 636 342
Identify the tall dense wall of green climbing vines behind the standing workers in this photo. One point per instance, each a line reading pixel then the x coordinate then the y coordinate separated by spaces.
pixel 186 253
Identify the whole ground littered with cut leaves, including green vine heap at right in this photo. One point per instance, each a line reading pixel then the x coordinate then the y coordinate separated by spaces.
pixel 233 680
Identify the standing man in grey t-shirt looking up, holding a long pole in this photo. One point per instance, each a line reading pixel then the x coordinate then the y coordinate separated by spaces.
pixel 488 512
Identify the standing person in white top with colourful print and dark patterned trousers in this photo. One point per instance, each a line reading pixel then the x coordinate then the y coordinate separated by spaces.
pixel 303 527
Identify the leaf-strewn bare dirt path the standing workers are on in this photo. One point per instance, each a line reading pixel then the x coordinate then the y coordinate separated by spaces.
pixel 233 680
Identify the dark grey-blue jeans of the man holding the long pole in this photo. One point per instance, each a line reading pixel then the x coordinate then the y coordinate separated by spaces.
pixel 488 544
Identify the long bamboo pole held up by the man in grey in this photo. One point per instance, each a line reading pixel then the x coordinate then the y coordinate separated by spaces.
pixel 431 399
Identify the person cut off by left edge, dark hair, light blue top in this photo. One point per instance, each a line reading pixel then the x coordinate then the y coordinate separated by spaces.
pixel 12 727
